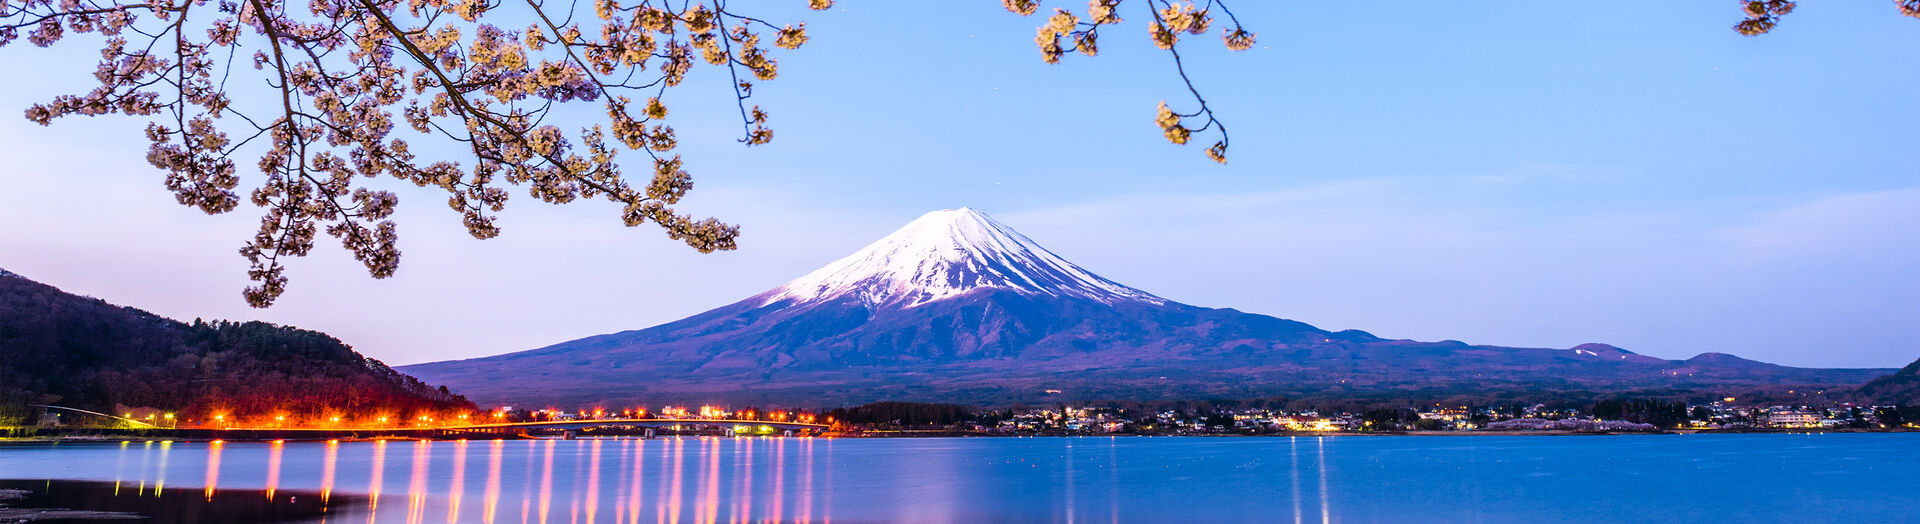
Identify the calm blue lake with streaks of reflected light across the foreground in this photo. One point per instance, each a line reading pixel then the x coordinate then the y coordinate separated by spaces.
pixel 1456 479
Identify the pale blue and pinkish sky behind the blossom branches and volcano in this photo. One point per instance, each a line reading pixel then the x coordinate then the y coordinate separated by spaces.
pixel 1539 174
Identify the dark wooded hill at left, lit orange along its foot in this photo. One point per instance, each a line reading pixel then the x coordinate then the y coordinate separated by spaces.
pixel 80 352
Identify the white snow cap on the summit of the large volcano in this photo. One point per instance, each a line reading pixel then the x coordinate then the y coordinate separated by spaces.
pixel 946 254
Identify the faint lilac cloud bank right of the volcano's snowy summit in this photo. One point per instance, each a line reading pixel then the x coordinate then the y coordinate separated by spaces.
pixel 1821 281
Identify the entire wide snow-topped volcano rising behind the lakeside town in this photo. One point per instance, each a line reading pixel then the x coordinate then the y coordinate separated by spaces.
pixel 961 308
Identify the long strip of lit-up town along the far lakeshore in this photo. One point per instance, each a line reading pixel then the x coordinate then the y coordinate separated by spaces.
pixel 944 419
